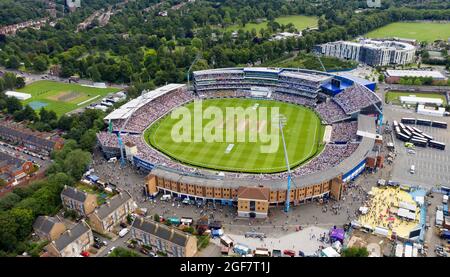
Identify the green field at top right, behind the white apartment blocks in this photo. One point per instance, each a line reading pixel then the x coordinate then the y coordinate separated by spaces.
pixel 421 31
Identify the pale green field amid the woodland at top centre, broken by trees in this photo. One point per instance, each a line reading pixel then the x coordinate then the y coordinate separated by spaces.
pixel 300 22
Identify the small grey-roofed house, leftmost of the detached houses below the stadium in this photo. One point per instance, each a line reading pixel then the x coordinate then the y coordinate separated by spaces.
pixel 48 228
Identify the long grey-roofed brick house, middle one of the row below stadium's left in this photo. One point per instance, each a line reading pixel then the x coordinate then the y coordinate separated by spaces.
pixel 112 213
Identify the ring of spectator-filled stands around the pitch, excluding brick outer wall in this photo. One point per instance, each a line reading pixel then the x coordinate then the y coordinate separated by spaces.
pixel 343 110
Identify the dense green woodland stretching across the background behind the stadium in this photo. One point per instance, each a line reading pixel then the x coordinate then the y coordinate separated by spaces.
pixel 138 47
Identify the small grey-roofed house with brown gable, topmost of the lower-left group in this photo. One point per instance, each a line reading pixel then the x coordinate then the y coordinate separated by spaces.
pixel 82 202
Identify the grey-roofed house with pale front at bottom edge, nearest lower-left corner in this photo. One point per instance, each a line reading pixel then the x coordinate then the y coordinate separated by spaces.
pixel 72 242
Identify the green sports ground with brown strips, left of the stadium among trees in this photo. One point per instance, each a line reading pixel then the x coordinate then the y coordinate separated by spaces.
pixel 62 97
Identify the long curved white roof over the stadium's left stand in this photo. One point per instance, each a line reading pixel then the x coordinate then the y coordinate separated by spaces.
pixel 129 108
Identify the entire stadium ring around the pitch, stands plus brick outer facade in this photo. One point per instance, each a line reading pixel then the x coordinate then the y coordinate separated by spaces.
pixel 341 103
